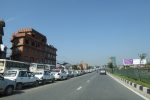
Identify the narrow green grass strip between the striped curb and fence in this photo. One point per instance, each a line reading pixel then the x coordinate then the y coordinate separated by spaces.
pixel 146 84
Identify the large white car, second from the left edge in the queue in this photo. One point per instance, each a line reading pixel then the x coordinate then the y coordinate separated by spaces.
pixel 22 78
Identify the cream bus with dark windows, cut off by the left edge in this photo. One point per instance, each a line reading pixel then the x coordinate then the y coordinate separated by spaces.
pixel 12 64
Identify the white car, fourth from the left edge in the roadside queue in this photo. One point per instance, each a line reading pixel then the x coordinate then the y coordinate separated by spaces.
pixel 59 74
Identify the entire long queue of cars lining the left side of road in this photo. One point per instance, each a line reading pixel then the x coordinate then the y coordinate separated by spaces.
pixel 16 79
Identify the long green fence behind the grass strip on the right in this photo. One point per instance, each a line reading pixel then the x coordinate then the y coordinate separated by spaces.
pixel 142 74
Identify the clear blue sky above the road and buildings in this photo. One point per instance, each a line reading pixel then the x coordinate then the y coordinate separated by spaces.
pixel 83 30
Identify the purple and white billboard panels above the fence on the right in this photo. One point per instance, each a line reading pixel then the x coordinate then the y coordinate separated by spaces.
pixel 133 61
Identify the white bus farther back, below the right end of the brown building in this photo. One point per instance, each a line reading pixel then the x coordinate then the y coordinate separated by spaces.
pixel 37 66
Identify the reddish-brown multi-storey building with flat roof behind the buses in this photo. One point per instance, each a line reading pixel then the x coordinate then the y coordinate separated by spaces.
pixel 28 45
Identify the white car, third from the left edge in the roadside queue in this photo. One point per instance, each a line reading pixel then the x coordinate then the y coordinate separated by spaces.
pixel 44 76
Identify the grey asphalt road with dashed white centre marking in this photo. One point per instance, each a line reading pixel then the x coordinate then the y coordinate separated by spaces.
pixel 91 86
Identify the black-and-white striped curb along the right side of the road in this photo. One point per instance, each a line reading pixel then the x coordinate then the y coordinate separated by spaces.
pixel 136 87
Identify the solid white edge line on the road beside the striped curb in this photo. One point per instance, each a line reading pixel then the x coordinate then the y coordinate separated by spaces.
pixel 130 88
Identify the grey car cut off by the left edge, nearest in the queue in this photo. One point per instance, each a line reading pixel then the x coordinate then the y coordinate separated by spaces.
pixel 6 86
